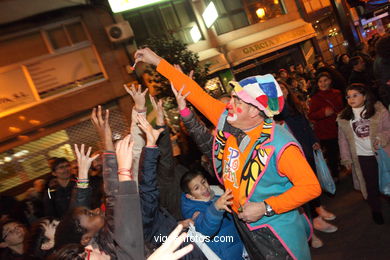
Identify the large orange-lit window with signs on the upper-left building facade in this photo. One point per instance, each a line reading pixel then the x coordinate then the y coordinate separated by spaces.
pixel 37 63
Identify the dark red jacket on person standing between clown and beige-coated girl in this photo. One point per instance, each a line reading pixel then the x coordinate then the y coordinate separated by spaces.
pixel 325 127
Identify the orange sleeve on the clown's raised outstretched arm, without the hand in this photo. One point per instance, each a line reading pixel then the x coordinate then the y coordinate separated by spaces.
pixel 206 104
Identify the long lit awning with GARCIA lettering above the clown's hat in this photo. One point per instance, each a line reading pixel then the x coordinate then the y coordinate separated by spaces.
pixel 269 40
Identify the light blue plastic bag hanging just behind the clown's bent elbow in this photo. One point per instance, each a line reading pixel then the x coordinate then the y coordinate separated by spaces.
pixel 323 173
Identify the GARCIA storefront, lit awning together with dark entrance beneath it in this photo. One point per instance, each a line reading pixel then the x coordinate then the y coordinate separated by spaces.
pixel 279 47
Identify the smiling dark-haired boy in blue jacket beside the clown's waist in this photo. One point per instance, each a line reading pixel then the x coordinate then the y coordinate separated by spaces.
pixel 211 219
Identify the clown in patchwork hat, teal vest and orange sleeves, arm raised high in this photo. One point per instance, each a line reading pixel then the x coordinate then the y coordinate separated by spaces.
pixel 259 161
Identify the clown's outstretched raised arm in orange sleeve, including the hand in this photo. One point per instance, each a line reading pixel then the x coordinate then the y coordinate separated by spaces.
pixel 206 104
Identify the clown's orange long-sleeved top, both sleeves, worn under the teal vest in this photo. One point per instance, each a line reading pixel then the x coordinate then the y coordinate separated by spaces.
pixel 292 162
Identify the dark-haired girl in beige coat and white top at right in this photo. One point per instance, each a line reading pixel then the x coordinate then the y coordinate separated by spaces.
pixel 364 127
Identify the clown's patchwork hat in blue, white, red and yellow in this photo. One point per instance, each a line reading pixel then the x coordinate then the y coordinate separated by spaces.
pixel 261 91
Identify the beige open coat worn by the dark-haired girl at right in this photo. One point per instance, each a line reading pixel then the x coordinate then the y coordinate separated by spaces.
pixel 379 129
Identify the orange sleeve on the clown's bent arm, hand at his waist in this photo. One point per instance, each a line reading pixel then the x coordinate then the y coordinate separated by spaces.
pixel 306 187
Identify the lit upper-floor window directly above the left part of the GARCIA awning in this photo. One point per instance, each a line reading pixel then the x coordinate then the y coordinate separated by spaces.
pixel 231 15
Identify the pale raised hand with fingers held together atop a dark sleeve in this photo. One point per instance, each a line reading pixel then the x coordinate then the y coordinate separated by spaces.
pixel 124 157
